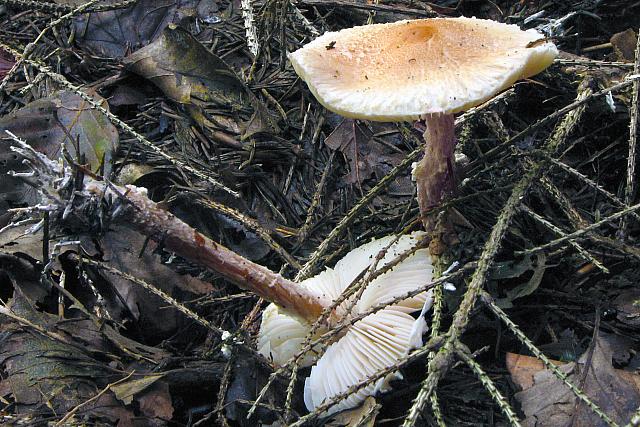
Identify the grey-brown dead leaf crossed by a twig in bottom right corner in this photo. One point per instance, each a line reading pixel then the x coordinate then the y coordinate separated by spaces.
pixel 548 402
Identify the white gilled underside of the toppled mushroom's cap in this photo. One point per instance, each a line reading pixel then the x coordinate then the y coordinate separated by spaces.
pixel 371 344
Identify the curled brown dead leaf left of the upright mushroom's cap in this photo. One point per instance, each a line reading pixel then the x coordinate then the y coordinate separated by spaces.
pixel 189 74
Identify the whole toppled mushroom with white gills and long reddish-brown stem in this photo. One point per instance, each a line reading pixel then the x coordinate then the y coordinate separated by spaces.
pixel 375 342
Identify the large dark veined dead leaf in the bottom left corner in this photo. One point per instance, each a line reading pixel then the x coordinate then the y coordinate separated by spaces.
pixel 47 375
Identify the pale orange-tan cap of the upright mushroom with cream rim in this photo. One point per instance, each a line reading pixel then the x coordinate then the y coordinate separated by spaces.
pixel 407 69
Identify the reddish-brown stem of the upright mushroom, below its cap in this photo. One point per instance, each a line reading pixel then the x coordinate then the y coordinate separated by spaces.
pixel 434 173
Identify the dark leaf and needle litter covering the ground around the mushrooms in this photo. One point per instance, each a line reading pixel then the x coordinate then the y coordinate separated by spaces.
pixel 182 75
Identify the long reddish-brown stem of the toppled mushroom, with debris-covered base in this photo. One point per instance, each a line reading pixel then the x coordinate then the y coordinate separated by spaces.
pixel 64 196
